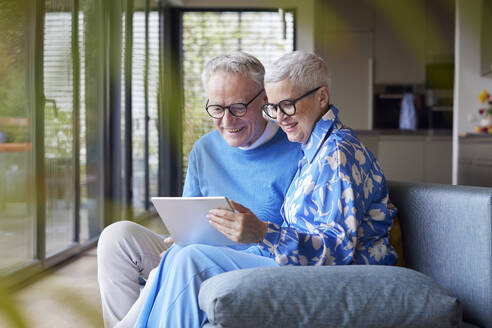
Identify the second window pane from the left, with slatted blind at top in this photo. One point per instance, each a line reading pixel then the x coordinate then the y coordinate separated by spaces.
pixel 58 126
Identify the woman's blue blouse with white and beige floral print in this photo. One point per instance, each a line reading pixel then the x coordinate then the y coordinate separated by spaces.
pixel 337 209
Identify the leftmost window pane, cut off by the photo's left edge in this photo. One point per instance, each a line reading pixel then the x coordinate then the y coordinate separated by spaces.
pixel 17 209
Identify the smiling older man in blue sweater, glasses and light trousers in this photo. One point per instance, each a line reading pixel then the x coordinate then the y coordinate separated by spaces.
pixel 221 163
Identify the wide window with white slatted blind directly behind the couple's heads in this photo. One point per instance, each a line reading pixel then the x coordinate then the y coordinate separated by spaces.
pixel 264 34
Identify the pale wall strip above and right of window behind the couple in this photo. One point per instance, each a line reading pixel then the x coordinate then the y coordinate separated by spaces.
pixel 304 14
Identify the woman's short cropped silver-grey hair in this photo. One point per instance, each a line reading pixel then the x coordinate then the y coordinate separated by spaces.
pixel 304 69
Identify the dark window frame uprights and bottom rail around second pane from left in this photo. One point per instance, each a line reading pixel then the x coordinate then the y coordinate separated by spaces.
pixel 36 105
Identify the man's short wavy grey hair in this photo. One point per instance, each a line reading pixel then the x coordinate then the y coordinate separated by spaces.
pixel 235 62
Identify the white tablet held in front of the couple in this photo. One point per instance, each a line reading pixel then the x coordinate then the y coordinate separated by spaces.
pixel 185 219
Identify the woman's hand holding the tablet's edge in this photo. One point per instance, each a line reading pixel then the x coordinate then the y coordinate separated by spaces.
pixel 240 226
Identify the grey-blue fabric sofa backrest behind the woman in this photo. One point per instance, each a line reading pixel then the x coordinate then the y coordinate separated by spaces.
pixel 447 235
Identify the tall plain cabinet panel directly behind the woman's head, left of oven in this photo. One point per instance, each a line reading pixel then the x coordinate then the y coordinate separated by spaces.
pixel 345 39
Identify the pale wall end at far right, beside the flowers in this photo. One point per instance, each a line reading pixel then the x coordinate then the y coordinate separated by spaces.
pixel 468 81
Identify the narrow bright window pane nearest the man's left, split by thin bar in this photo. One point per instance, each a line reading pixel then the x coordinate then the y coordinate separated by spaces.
pixel 145 85
